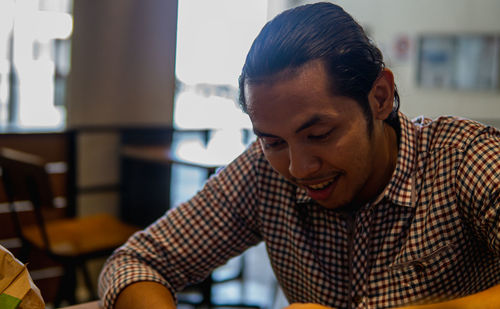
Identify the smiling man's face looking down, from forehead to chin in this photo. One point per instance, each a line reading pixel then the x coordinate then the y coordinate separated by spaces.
pixel 316 140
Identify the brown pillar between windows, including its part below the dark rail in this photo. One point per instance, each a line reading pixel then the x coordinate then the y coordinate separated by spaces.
pixel 122 77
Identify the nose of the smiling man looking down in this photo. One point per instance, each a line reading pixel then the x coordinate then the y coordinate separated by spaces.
pixel 303 163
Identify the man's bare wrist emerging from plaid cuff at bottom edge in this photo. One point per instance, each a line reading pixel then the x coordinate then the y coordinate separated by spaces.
pixel 145 294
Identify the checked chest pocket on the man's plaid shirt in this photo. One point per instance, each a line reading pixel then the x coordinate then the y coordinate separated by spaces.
pixel 430 272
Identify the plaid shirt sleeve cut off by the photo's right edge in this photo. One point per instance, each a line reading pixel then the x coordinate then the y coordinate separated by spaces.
pixel 478 180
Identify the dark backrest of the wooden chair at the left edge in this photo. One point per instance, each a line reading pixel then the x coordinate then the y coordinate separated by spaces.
pixel 25 178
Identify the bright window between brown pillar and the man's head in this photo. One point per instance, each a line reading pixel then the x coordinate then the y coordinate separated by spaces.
pixel 213 38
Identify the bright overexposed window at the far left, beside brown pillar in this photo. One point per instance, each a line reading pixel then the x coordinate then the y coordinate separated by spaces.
pixel 34 62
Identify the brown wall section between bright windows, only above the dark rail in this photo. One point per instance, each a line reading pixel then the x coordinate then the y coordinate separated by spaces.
pixel 122 69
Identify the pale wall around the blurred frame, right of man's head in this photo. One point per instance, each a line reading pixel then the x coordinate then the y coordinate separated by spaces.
pixel 388 19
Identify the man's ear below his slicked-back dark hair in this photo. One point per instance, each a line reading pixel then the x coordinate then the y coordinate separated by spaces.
pixel 381 96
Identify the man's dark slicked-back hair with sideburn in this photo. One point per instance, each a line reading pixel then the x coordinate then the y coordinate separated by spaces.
pixel 320 31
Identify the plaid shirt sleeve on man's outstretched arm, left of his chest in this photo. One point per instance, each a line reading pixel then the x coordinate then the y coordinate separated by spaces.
pixel 186 244
